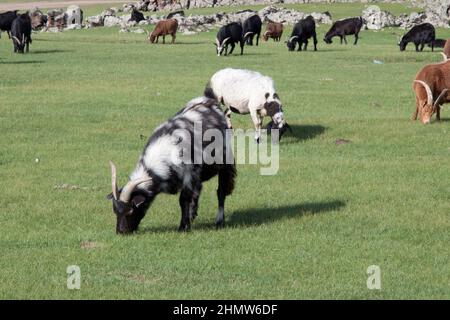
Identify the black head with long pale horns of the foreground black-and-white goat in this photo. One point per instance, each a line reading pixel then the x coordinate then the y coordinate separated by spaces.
pixel 129 204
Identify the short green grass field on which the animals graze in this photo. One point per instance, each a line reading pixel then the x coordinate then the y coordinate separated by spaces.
pixel 81 98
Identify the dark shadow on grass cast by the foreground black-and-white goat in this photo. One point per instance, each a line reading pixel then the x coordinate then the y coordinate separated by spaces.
pixel 258 216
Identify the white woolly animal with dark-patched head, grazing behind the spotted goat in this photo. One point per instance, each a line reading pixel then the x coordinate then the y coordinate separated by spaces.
pixel 245 91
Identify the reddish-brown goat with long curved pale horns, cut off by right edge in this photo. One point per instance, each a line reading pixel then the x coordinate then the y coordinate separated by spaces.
pixel 431 81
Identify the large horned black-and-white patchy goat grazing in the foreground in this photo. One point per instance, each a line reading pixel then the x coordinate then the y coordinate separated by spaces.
pixel 162 167
